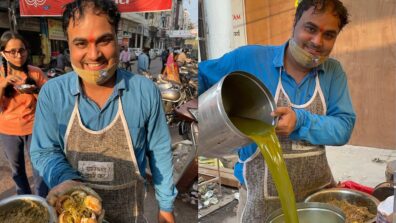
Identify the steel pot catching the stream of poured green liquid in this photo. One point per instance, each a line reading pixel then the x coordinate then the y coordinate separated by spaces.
pixel 311 212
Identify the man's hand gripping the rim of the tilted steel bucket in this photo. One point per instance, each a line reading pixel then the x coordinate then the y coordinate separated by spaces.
pixel 286 122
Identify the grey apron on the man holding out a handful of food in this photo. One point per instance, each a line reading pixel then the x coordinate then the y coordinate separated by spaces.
pixel 107 162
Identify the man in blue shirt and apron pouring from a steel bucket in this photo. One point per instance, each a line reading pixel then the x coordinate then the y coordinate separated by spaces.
pixel 313 100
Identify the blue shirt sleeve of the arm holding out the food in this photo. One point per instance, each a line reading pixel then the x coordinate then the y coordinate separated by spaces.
pixel 46 153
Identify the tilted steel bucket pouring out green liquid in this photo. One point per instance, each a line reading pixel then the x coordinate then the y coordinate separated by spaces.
pixel 236 94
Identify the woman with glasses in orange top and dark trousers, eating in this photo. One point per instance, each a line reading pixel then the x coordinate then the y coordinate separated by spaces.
pixel 19 87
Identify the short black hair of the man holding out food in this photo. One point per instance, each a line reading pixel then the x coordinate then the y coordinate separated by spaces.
pixel 77 8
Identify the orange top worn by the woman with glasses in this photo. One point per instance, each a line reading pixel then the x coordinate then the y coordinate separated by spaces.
pixel 17 112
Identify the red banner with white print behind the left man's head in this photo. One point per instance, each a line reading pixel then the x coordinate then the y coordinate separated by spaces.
pixel 55 7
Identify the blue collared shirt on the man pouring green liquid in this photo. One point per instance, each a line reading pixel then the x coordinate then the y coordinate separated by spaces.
pixel 265 62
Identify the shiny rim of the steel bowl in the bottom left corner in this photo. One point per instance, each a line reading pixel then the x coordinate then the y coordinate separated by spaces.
pixel 42 201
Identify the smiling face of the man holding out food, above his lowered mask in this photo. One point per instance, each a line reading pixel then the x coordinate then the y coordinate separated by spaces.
pixel 92 42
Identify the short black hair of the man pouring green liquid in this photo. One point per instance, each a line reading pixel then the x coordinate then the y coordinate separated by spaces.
pixel 320 6
